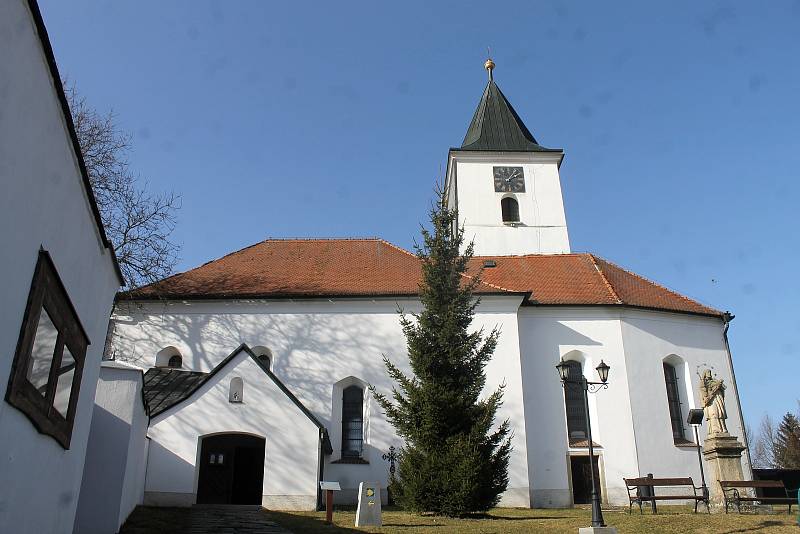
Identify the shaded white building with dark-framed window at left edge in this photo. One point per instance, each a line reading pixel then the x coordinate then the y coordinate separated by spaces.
pixel 59 280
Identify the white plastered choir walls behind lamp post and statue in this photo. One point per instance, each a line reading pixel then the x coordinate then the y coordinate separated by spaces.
pixel 630 419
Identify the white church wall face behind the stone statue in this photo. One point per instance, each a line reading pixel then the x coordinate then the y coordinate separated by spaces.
pixel 649 338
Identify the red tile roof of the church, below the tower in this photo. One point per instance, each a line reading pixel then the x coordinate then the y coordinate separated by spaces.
pixel 297 268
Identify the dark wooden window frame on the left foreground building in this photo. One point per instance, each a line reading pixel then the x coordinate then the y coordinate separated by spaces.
pixel 47 292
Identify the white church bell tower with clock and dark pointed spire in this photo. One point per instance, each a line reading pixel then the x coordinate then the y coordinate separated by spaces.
pixel 506 186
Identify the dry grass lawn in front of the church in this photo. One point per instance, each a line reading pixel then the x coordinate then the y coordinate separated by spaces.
pixel 513 520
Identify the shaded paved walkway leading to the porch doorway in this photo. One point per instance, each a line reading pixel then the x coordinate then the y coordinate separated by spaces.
pixel 201 520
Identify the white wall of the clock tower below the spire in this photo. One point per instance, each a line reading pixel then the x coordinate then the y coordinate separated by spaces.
pixel 542 228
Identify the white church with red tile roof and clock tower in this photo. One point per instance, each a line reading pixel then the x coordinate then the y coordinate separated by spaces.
pixel 257 364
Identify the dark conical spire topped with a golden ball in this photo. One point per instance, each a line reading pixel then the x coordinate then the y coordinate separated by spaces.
pixel 496 126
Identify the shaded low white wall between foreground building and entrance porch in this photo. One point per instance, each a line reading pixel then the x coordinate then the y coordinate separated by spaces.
pixel 113 475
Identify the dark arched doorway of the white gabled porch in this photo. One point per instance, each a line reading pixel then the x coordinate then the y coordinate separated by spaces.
pixel 231 469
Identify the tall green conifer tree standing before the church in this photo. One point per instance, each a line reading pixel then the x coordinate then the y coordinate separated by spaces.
pixel 454 461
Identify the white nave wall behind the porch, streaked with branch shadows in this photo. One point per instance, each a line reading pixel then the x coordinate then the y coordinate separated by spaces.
pixel 315 345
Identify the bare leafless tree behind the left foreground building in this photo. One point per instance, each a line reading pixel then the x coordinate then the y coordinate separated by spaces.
pixel 138 223
